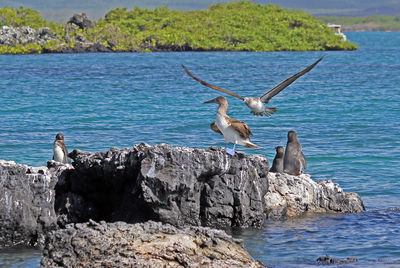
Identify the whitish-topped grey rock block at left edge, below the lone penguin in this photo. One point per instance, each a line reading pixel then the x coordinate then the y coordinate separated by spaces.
pixel 26 204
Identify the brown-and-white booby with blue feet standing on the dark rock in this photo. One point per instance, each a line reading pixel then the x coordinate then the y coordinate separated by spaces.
pixel 234 131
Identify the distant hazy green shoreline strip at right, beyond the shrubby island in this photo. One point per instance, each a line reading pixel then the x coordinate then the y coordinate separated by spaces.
pixel 376 22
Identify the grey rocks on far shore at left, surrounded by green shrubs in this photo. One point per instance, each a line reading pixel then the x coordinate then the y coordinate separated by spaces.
pixel 10 36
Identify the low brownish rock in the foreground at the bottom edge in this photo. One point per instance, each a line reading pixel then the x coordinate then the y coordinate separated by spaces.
pixel 149 244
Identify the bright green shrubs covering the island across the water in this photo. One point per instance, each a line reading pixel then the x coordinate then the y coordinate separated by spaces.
pixel 236 26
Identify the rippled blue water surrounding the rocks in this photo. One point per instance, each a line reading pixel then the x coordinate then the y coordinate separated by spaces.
pixel 346 112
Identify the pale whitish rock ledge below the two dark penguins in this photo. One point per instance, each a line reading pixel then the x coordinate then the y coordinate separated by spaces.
pixel 291 196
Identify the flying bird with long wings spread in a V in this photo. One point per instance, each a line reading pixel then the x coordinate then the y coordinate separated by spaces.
pixel 256 104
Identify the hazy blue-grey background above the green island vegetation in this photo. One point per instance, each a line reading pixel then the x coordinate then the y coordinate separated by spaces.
pixel 62 10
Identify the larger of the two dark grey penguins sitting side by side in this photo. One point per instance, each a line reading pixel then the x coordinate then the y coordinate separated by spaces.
pixel 294 159
